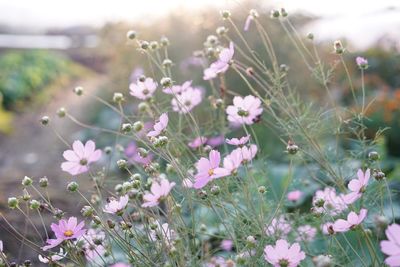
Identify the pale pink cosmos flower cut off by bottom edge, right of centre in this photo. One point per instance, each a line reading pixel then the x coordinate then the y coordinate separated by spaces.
pixel 283 254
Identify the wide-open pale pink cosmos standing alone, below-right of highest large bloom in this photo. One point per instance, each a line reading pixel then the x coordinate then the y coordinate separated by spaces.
pixel 244 110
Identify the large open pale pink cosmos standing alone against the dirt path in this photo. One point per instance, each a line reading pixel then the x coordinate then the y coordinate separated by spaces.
pixel 79 159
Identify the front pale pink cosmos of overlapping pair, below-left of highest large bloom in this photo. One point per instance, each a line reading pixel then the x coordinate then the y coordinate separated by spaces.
pixel 187 100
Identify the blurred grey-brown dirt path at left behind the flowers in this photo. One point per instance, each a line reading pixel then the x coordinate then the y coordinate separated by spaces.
pixel 35 151
